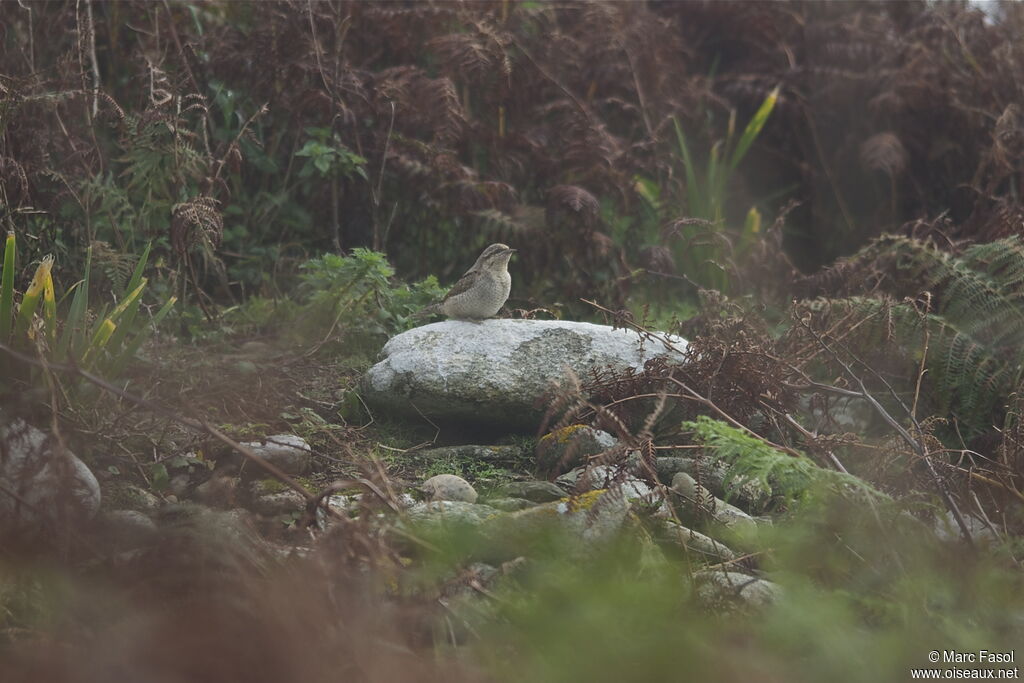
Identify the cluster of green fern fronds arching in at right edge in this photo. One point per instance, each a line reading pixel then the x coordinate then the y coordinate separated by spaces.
pixel 975 331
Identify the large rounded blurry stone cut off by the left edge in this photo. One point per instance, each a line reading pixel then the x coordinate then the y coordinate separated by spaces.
pixel 41 482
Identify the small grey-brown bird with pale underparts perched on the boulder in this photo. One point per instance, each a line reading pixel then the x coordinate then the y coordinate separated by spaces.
pixel 483 291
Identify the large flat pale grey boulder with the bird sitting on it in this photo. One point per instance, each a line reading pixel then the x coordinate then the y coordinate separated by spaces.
pixel 495 372
